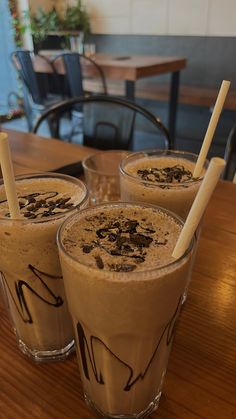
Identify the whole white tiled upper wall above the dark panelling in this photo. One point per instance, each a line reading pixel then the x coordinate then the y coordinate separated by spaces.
pixel 163 17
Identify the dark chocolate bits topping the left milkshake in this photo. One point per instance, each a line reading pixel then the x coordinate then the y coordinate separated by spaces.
pixel 41 204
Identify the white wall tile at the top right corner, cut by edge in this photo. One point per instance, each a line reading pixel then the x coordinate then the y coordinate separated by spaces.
pixel 222 18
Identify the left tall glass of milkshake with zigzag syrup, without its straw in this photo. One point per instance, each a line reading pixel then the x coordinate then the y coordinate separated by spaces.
pixel 29 263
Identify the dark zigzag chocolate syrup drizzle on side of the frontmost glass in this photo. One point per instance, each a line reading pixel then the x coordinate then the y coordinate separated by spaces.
pixel 88 356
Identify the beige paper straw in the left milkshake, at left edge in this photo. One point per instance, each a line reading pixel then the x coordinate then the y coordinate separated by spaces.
pixel 8 177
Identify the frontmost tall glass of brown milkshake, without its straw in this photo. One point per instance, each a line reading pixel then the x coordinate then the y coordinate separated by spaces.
pixel 124 292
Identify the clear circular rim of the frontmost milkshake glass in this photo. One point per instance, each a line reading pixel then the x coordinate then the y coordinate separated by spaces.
pixel 118 275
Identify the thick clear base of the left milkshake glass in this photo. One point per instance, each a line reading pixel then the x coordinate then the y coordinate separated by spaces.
pixel 46 356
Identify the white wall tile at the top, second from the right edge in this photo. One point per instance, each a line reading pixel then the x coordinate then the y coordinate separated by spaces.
pixel 187 17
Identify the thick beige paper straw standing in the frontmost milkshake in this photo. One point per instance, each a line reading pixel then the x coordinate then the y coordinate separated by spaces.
pixel 199 205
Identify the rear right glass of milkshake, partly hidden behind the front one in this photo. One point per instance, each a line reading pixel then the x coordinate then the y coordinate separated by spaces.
pixel 163 178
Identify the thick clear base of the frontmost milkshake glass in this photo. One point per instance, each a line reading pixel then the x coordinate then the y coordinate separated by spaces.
pixel 146 412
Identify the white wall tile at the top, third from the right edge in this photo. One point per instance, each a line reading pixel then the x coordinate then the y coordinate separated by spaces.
pixel 149 17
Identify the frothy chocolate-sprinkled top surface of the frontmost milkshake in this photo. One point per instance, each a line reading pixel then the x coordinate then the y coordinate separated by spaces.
pixel 123 241
